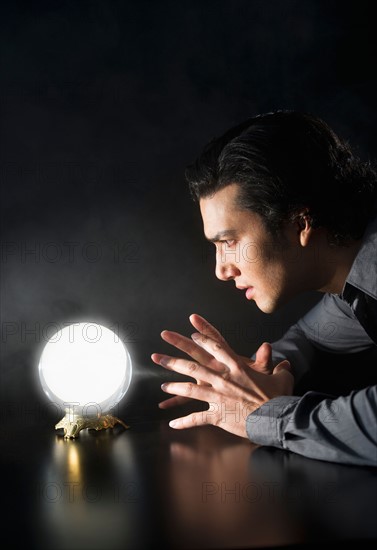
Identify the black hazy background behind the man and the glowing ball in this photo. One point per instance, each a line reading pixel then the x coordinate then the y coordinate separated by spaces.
pixel 103 104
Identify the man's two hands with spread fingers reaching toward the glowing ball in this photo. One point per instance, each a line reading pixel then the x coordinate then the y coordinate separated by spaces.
pixel 223 379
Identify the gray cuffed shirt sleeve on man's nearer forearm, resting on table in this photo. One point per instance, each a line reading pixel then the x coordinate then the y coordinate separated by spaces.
pixel 320 426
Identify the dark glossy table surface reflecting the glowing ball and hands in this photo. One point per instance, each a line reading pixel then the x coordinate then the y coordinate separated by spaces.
pixel 150 484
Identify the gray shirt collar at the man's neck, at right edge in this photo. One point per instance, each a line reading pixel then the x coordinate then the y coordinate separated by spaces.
pixel 363 273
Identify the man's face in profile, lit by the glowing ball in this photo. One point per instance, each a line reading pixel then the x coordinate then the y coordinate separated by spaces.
pixel 267 270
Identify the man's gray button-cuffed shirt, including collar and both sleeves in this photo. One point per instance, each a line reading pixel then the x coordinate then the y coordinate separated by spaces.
pixel 316 425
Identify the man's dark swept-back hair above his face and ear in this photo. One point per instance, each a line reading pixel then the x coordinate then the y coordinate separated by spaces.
pixel 284 162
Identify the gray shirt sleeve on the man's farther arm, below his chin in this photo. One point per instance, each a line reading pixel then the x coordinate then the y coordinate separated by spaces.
pixel 329 326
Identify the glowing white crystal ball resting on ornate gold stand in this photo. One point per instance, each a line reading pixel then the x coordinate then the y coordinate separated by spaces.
pixel 85 363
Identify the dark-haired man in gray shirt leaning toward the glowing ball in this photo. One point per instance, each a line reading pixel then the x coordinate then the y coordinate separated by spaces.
pixel 290 208
